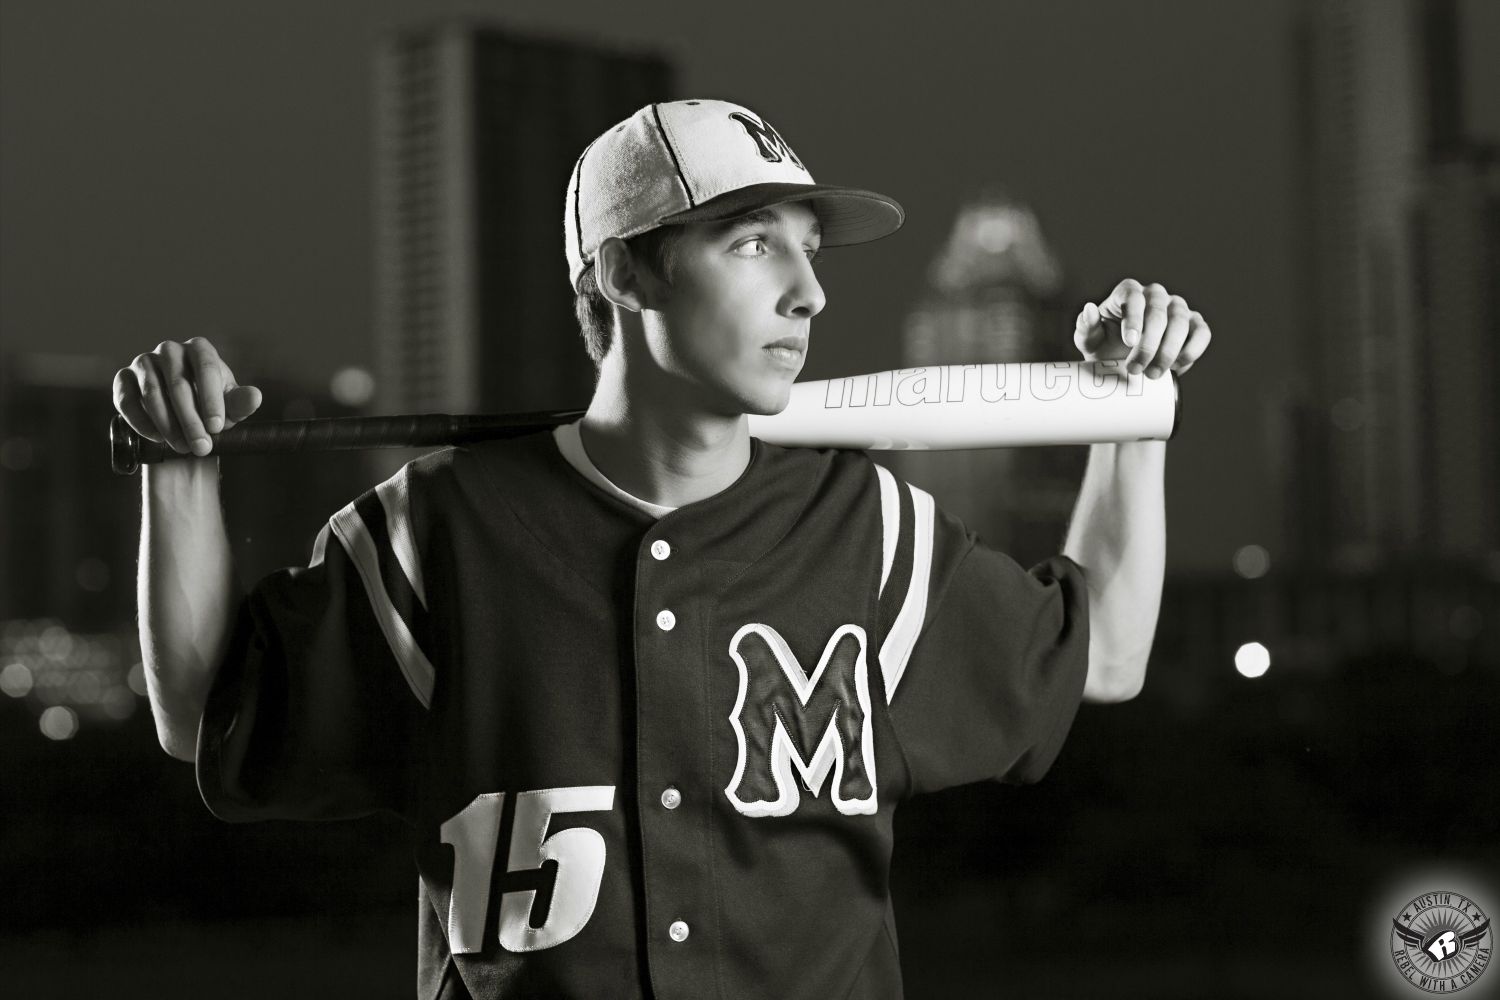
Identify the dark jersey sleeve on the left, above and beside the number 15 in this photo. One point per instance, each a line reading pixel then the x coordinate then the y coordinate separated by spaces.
pixel 314 714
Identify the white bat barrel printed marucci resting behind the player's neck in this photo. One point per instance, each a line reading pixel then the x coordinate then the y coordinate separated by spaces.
pixel 977 407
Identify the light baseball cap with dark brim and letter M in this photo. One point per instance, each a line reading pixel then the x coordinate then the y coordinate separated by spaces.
pixel 703 161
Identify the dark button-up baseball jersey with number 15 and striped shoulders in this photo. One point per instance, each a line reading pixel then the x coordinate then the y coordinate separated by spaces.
pixel 644 756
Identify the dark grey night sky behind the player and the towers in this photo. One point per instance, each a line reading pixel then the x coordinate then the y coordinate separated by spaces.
pixel 205 169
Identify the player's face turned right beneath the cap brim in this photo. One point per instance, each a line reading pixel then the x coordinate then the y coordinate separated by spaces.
pixel 731 331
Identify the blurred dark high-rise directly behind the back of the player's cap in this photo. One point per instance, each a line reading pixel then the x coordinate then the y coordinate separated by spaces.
pixel 478 133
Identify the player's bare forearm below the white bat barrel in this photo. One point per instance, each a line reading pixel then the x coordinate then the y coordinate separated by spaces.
pixel 1120 537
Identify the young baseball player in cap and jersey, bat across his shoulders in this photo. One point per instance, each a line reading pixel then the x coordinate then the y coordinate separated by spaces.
pixel 649 690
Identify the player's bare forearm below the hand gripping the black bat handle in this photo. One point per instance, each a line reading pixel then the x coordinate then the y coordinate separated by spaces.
pixel 187 596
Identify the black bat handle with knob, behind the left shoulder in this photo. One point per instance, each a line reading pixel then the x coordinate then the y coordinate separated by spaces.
pixel 130 451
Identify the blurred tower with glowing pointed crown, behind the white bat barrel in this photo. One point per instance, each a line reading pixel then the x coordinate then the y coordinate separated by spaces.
pixel 995 295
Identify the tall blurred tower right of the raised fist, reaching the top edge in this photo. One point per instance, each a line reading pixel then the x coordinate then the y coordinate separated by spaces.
pixel 1358 412
